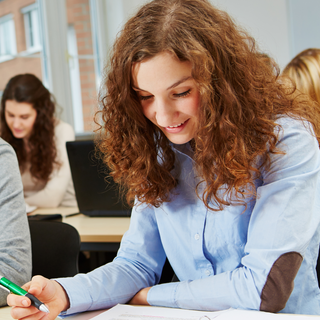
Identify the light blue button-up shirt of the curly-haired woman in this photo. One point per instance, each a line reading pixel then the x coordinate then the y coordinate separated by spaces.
pixel 221 258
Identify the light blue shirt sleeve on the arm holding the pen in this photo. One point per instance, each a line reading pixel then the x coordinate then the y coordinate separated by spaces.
pixel 138 264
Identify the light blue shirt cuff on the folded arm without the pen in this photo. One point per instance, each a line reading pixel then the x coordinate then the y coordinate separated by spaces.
pixel 163 295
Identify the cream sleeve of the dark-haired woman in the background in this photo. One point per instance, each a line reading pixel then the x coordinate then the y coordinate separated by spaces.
pixel 54 191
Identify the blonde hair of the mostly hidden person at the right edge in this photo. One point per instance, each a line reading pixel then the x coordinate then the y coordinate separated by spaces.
pixel 304 71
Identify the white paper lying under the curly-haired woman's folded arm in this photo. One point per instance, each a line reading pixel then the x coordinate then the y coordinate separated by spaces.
pixel 127 312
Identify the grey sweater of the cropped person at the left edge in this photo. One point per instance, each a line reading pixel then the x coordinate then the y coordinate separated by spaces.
pixel 15 245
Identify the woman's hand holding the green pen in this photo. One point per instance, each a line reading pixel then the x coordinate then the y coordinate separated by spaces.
pixel 50 292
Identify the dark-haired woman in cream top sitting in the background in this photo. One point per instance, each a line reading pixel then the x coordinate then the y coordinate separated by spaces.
pixel 28 123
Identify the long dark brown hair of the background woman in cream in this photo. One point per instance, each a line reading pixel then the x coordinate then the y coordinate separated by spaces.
pixel 42 156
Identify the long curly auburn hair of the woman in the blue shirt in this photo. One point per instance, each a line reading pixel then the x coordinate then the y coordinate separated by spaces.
pixel 241 98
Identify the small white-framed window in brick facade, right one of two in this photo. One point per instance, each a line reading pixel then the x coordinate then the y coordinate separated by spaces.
pixel 31 26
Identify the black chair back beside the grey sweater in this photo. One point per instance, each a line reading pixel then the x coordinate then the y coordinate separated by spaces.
pixel 55 248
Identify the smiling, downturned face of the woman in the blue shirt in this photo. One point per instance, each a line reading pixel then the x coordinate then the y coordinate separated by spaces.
pixel 168 95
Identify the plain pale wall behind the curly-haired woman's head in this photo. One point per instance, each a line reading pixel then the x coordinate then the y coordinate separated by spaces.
pixel 282 28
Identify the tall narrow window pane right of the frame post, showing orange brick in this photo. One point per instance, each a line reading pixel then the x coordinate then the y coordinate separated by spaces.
pixel 82 59
